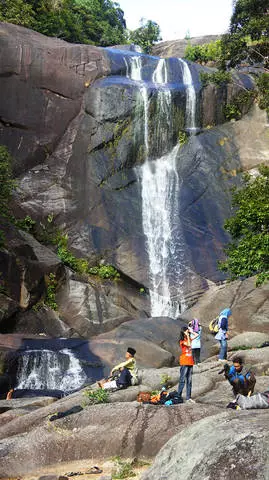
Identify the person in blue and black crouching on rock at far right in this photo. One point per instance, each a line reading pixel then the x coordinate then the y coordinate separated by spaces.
pixel 240 377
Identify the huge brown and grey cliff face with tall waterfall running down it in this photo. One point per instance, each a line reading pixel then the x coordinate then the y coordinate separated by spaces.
pixel 93 130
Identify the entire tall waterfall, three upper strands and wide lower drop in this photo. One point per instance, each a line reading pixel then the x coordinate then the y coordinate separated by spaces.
pixel 160 184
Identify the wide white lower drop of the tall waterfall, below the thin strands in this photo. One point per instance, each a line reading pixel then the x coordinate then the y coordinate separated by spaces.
pixel 160 190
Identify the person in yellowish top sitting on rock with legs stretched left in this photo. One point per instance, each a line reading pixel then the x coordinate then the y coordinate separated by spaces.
pixel 128 373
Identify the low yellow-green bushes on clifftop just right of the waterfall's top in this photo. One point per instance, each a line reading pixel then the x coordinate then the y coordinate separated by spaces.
pixel 204 53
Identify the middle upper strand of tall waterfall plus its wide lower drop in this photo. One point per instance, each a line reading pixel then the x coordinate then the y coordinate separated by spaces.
pixel 160 191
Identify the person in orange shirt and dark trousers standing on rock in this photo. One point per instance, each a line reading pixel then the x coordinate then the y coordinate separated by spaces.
pixel 186 364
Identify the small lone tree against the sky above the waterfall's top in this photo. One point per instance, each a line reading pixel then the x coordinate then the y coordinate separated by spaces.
pixel 146 35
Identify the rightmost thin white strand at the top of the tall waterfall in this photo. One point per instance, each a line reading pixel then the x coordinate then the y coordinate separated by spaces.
pixel 190 95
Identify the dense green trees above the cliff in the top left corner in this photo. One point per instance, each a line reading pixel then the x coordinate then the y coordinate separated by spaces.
pixel 98 22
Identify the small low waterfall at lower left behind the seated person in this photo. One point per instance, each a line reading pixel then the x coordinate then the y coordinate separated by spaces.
pixel 49 370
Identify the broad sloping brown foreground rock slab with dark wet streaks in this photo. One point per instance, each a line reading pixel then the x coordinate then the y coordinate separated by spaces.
pixel 98 431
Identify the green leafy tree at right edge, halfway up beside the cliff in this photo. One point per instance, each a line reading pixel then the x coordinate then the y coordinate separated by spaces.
pixel 248 253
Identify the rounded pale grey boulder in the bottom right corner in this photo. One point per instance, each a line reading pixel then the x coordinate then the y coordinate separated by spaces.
pixel 222 446
